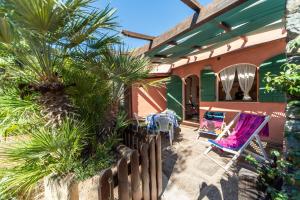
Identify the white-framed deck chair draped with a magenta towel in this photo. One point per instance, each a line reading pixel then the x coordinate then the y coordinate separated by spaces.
pixel 248 128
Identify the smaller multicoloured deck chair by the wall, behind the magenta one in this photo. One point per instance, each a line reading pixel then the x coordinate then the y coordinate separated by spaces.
pixel 212 123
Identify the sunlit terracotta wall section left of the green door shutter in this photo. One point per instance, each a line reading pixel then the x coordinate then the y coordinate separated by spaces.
pixel 150 100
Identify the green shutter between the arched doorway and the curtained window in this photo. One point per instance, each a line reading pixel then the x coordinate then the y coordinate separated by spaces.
pixel 208 85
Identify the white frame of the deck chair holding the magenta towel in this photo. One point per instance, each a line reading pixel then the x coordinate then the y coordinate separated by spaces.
pixel 239 151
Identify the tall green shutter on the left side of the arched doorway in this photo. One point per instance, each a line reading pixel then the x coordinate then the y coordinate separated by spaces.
pixel 174 95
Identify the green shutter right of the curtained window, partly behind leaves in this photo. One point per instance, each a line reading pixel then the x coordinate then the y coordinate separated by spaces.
pixel 272 65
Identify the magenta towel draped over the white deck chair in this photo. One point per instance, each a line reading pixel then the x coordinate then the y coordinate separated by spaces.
pixel 246 126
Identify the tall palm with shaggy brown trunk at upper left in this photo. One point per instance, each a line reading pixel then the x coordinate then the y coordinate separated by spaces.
pixel 42 34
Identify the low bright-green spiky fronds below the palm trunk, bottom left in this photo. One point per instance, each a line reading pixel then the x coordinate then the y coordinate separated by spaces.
pixel 44 151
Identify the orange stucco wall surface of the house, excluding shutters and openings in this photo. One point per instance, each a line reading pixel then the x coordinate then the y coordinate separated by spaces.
pixel 153 100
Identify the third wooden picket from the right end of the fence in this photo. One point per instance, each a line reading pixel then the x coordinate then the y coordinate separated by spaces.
pixel 145 171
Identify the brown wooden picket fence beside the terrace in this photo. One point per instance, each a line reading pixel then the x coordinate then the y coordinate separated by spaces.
pixel 137 177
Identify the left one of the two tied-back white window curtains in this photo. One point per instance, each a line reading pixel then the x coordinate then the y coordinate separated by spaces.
pixel 227 77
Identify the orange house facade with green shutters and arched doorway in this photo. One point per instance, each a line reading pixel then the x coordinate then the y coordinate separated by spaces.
pixel 227 76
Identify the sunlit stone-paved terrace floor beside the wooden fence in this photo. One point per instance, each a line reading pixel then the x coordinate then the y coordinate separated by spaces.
pixel 190 175
